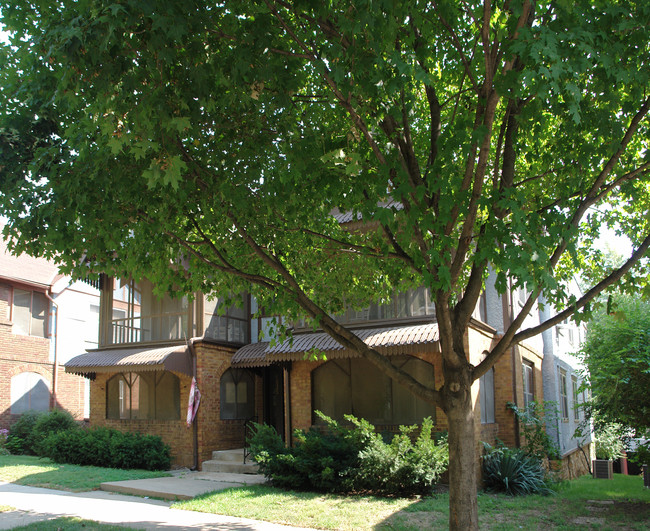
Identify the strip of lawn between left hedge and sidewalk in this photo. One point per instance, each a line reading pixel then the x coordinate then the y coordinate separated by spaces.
pixel 41 472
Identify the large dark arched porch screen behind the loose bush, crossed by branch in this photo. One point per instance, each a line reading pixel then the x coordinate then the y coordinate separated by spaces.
pixel 355 386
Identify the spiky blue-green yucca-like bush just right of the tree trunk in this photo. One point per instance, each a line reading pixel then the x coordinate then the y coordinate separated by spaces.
pixel 513 471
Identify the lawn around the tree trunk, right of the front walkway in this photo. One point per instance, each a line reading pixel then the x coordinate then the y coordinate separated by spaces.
pixel 578 505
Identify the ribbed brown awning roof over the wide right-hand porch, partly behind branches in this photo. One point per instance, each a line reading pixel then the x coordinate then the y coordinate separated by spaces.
pixel 392 340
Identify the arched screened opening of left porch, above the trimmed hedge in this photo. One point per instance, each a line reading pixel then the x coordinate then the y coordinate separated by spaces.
pixel 145 395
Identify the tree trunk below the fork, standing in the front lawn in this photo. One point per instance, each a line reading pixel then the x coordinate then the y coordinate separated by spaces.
pixel 463 505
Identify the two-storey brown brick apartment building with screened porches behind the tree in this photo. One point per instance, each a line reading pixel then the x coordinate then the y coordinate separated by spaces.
pixel 141 373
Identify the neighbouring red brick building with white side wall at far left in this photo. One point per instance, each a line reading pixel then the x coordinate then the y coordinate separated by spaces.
pixel 43 320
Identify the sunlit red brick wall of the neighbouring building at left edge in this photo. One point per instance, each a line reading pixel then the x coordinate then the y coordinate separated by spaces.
pixel 19 354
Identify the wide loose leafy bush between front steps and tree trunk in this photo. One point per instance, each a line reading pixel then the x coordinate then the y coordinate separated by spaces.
pixel 351 459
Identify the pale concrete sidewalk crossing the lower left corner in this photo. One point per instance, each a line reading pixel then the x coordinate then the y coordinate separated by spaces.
pixel 36 504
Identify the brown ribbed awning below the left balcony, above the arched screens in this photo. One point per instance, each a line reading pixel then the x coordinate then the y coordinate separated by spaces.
pixel 176 358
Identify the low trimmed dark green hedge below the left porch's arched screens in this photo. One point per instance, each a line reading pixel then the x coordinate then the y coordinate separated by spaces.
pixel 108 448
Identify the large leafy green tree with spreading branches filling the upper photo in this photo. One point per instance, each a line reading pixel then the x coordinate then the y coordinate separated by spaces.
pixel 457 135
